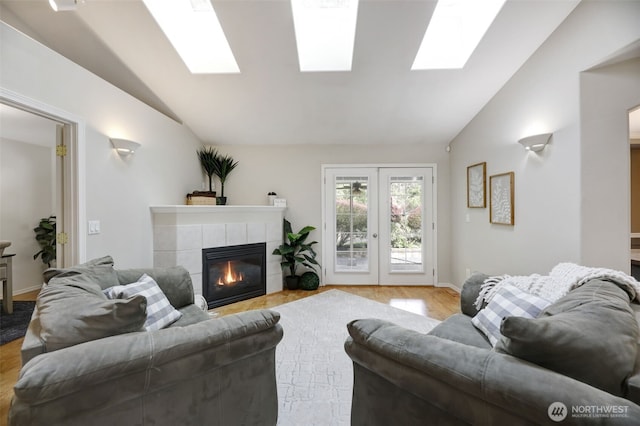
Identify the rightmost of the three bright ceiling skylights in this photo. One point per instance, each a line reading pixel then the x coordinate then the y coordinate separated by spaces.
pixel 456 28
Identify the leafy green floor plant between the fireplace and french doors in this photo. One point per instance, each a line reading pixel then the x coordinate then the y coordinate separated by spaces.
pixel 295 251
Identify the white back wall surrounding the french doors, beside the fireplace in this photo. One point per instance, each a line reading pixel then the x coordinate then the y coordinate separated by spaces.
pixel 294 172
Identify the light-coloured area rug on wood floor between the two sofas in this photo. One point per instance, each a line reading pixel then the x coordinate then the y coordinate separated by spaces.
pixel 314 373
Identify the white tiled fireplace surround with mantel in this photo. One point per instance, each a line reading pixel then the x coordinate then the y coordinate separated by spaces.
pixel 181 232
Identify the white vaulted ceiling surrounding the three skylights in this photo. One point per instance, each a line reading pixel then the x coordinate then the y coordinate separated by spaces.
pixel 270 101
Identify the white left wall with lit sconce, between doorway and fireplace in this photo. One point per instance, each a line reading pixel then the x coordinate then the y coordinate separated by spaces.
pixel 118 192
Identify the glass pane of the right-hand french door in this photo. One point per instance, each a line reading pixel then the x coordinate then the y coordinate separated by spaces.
pixel 407 194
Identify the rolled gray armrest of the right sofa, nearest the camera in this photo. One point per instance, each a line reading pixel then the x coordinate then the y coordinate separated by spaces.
pixel 475 385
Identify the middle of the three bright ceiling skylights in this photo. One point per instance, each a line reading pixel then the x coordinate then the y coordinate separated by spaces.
pixel 325 33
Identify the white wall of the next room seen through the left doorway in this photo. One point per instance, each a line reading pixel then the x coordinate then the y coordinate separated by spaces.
pixel 26 171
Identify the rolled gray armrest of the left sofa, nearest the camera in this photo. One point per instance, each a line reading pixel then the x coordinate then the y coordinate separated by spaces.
pixel 143 362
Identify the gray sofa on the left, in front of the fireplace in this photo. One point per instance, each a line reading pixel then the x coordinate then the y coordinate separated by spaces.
pixel 85 360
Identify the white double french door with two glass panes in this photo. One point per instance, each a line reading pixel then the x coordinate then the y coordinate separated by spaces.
pixel 379 225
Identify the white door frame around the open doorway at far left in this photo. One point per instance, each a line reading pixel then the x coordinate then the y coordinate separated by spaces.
pixel 74 188
